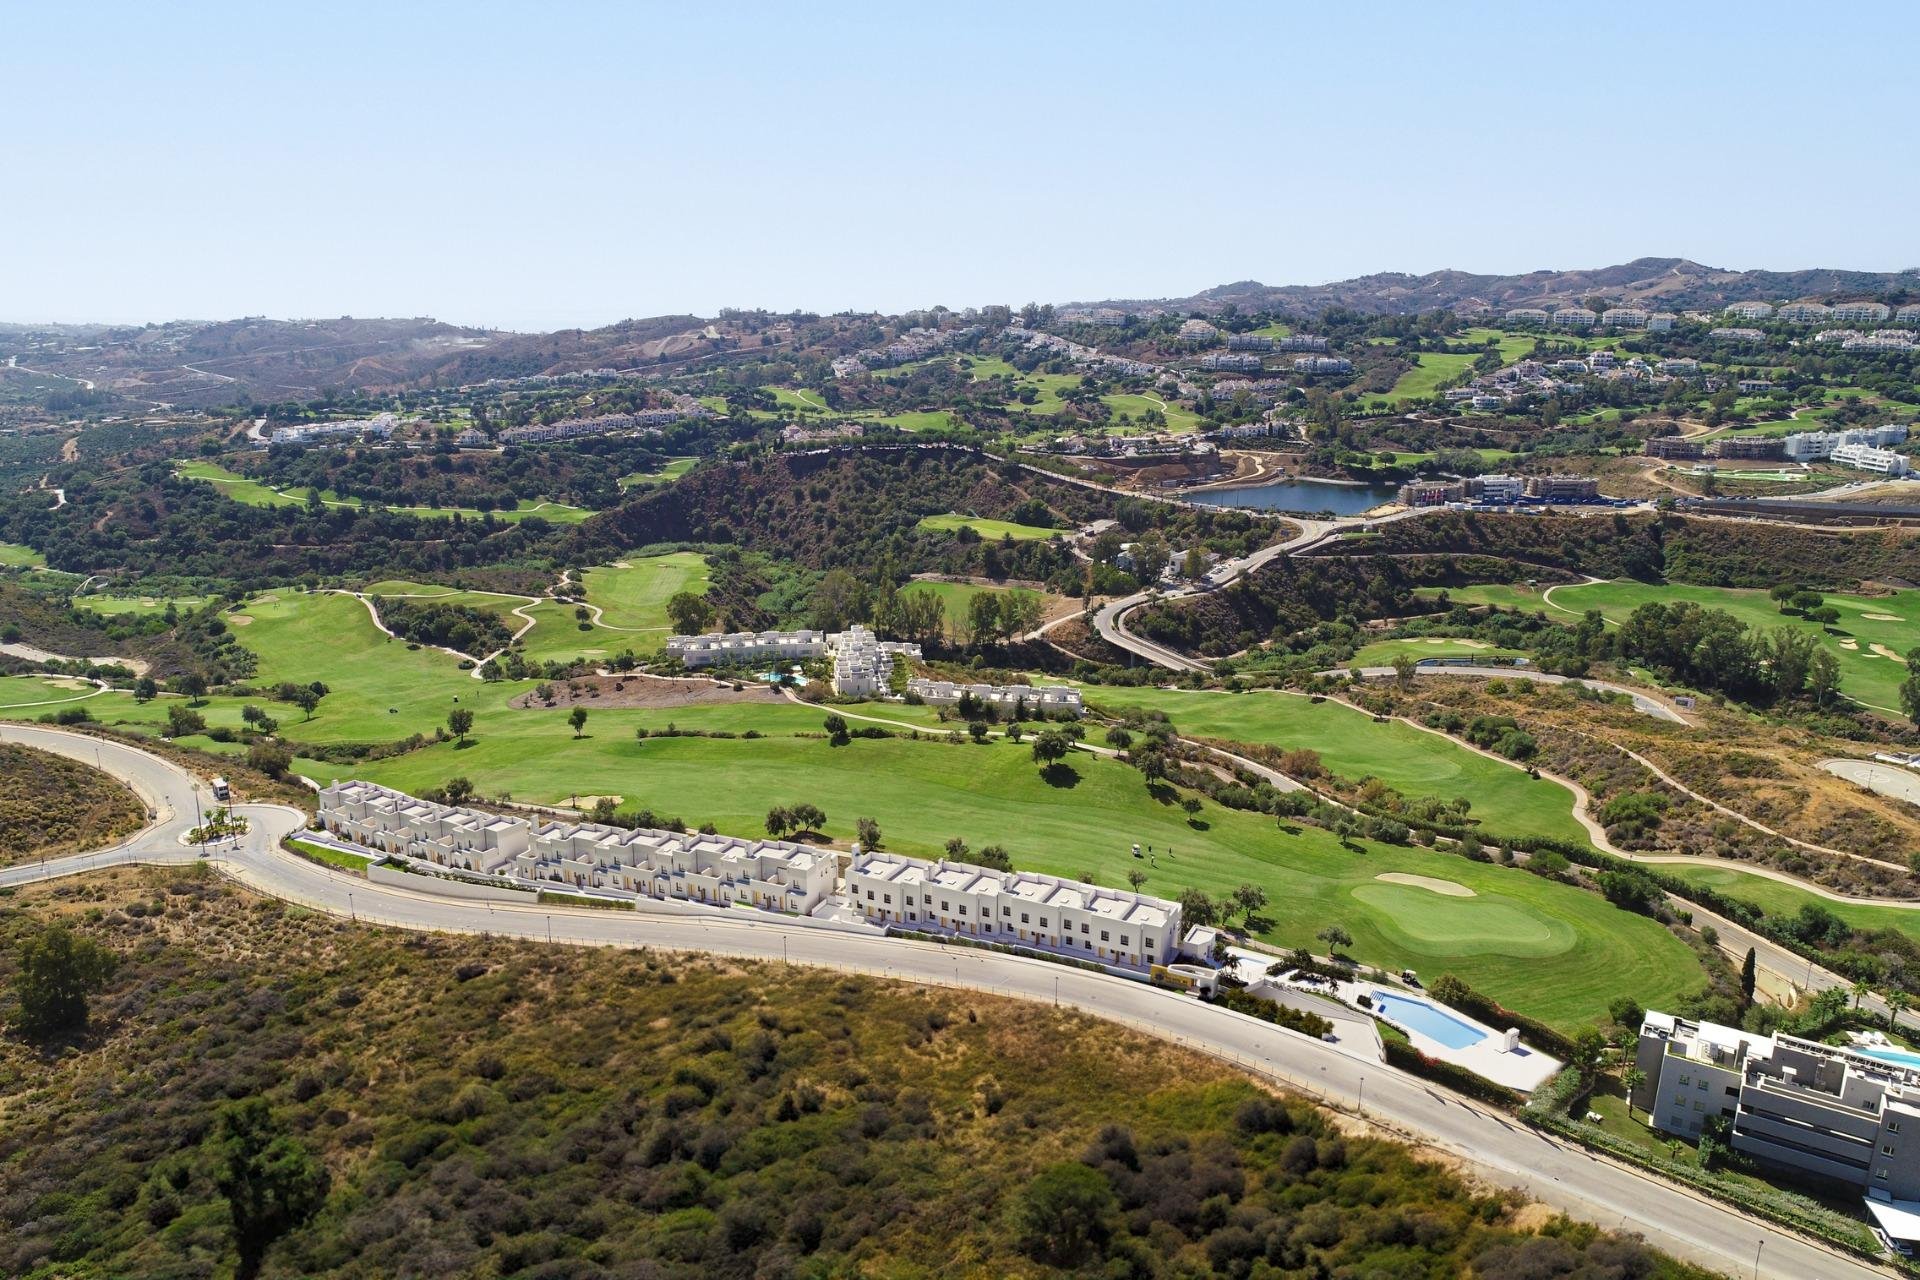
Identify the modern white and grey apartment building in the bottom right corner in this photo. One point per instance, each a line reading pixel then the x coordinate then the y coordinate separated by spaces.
pixel 1817 1110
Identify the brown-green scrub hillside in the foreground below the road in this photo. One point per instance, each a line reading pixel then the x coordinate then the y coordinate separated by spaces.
pixel 485 1108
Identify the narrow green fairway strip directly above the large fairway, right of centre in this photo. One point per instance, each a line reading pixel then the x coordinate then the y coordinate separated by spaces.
pixel 1351 744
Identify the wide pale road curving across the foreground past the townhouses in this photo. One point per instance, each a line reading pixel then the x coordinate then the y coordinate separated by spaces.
pixel 1495 1145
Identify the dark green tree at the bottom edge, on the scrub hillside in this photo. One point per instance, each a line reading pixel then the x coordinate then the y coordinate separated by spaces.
pixel 270 1181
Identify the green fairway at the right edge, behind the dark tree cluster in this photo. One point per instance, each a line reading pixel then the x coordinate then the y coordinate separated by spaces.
pixel 1867 675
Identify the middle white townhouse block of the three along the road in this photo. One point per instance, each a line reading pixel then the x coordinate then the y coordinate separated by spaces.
pixel 717 870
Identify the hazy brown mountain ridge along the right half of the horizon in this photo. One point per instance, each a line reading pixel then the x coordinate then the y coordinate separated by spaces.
pixel 1671 283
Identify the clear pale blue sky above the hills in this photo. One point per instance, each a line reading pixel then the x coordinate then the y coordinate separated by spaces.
pixel 575 164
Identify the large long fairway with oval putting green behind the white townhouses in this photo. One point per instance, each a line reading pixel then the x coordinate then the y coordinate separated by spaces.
pixel 1541 947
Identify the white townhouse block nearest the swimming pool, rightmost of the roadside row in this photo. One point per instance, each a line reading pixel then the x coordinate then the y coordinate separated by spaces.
pixel 1111 926
